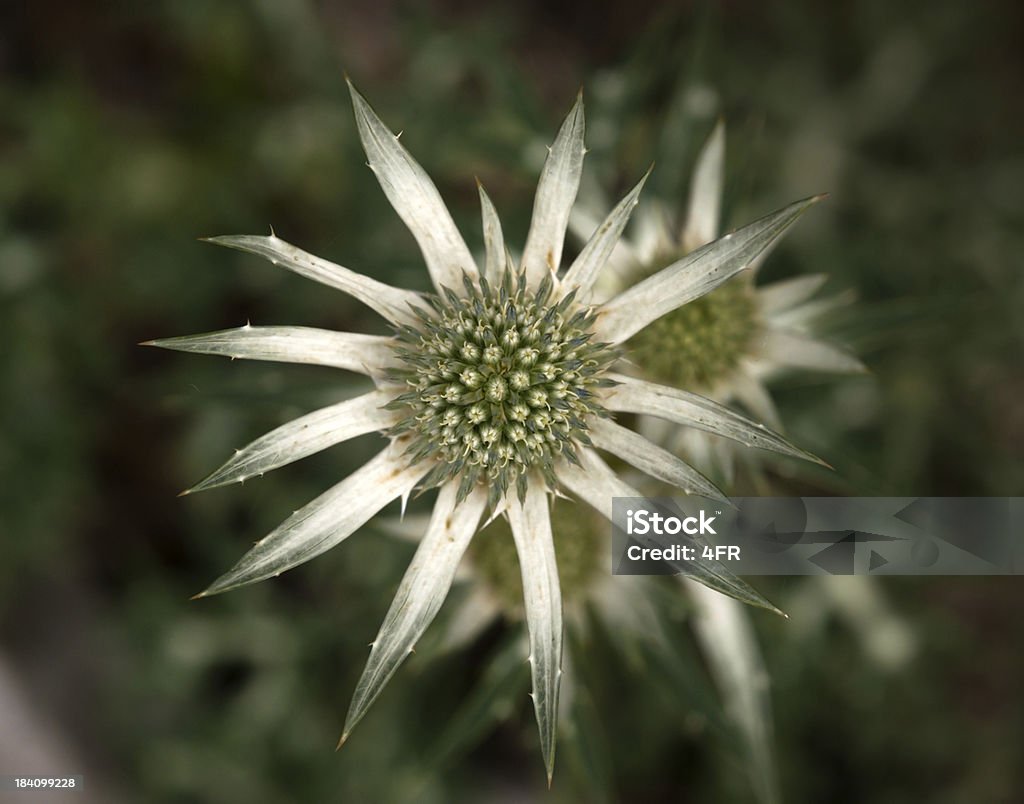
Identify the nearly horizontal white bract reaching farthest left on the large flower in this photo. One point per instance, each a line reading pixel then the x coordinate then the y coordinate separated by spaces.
pixel 370 355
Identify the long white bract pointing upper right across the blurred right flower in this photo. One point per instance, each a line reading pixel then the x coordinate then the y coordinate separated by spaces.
pixel 693 277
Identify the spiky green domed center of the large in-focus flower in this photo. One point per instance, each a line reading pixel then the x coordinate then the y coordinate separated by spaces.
pixel 501 383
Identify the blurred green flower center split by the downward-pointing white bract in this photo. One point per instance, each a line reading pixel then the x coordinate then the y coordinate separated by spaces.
pixel 580 555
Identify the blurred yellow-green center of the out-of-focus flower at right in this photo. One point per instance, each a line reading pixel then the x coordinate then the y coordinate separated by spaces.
pixel 701 344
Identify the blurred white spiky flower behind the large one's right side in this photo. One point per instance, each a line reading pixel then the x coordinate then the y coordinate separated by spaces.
pixel 733 342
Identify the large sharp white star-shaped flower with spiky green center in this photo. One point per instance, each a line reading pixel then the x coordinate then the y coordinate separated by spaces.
pixel 499 391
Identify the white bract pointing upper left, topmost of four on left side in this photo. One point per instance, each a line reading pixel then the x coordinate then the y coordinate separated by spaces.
pixel 394 304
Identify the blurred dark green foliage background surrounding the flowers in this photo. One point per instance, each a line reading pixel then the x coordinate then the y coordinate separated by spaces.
pixel 129 132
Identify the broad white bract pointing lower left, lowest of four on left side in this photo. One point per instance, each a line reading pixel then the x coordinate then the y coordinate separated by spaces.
pixel 326 522
